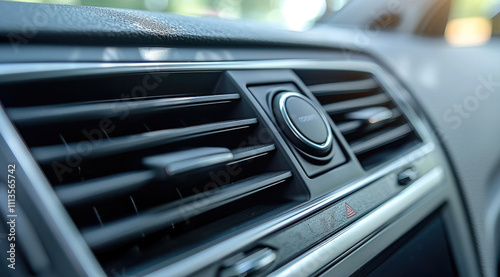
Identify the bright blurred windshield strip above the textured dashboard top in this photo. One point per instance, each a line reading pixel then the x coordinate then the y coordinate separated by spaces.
pixel 289 14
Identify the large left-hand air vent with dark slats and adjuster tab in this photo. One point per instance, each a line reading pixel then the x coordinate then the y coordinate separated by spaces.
pixel 152 166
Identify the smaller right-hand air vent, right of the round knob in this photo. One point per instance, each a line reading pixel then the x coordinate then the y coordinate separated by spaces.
pixel 370 121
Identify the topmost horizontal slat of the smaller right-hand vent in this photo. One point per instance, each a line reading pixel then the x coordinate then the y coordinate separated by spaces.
pixel 343 87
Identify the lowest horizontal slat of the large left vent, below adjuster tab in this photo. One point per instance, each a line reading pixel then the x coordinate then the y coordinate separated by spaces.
pixel 163 216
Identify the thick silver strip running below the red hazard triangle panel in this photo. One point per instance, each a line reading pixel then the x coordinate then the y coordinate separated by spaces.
pixel 320 256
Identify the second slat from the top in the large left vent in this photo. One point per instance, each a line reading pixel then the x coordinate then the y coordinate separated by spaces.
pixel 46 154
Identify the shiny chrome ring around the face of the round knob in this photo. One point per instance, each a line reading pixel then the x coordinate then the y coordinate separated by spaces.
pixel 297 133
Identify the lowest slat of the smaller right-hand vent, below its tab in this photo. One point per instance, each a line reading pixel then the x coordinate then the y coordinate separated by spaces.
pixel 380 139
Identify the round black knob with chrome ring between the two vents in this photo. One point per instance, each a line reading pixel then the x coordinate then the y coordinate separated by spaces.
pixel 303 123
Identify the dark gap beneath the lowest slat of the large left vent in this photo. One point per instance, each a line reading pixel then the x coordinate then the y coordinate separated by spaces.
pixel 175 243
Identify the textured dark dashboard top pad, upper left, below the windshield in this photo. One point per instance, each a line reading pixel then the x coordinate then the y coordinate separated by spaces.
pixel 46 23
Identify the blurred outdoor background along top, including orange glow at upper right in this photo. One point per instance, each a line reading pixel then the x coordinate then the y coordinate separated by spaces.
pixel 471 22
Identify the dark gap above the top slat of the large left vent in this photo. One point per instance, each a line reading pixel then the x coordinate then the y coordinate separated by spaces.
pixel 110 88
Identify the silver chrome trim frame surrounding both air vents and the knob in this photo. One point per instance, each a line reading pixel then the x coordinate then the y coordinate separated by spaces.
pixel 191 264
